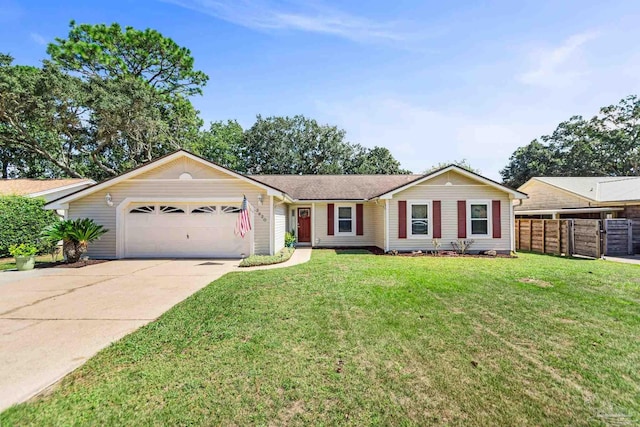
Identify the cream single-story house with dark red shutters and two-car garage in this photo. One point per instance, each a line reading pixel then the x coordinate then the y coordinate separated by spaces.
pixel 184 206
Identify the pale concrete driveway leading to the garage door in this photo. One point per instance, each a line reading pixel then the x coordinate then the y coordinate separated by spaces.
pixel 53 320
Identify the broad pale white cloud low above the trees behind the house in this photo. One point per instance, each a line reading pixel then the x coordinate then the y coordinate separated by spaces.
pixel 420 137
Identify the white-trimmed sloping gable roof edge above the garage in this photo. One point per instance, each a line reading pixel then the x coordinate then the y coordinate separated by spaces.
pixel 148 167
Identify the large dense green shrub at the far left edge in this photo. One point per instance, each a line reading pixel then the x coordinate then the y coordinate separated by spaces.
pixel 22 219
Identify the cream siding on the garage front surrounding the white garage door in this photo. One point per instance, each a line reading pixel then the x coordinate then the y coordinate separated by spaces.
pixel 94 206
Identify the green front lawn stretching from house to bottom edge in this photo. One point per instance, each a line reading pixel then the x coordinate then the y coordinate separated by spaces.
pixel 357 339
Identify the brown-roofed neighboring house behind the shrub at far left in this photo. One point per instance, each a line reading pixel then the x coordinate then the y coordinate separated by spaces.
pixel 48 189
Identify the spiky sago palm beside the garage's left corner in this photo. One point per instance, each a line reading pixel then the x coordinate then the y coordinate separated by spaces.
pixel 75 235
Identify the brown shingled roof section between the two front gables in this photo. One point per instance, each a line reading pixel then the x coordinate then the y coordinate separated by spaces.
pixel 335 187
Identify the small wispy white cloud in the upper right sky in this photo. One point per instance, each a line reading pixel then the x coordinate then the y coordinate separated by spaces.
pixel 560 65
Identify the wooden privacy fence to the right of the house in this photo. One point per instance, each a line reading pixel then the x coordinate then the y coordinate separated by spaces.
pixel 588 237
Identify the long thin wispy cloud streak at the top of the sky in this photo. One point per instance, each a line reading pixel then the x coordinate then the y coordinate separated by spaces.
pixel 267 15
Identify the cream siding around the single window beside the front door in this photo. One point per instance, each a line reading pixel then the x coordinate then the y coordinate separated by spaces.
pixel 371 217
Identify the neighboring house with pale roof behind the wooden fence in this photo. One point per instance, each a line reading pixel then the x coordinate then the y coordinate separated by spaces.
pixel 581 197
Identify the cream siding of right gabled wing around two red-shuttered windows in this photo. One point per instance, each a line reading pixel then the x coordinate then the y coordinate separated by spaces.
pixel 461 188
